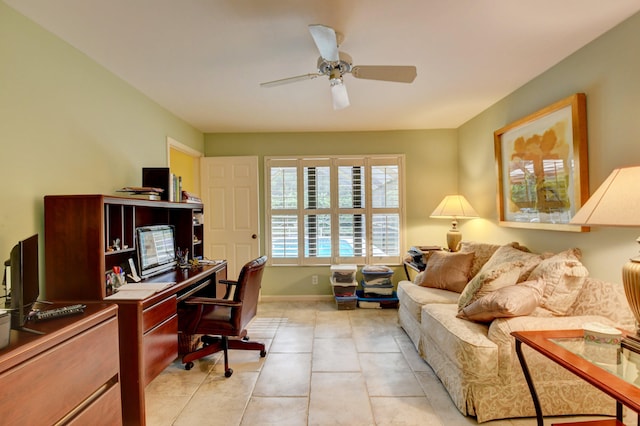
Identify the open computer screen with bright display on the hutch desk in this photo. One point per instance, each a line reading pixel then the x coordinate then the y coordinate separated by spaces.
pixel 156 249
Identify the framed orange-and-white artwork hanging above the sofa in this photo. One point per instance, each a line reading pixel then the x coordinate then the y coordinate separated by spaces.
pixel 542 167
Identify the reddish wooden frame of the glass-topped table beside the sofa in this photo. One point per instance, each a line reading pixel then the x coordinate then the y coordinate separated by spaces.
pixel 614 385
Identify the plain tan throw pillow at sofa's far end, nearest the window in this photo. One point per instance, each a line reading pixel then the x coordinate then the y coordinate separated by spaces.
pixel 448 271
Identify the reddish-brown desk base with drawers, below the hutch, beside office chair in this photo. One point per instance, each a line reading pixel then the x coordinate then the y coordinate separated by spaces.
pixel 149 332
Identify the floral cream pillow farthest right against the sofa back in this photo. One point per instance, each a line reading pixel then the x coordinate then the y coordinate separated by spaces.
pixel 564 276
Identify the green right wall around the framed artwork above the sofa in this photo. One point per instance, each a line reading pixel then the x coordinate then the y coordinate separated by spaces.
pixel 608 72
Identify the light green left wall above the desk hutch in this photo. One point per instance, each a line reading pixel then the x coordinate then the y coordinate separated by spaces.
pixel 67 126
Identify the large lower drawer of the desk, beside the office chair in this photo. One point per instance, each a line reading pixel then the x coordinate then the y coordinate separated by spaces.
pixel 160 346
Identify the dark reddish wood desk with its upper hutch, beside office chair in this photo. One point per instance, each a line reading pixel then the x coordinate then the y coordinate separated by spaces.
pixel 80 231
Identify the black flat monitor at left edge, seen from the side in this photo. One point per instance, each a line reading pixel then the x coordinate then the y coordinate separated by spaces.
pixel 25 284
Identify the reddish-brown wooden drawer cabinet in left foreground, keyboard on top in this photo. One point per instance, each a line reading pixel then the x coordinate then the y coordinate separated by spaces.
pixel 70 374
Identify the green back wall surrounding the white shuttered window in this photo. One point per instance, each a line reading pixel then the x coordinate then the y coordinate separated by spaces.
pixel 431 157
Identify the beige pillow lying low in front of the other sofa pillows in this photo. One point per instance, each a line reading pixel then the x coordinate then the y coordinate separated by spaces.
pixel 511 301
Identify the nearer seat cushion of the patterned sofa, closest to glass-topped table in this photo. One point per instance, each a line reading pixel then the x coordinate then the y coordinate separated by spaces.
pixel 464 343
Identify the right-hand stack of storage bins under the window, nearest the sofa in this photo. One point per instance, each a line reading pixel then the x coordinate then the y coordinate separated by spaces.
pixel 377 288
